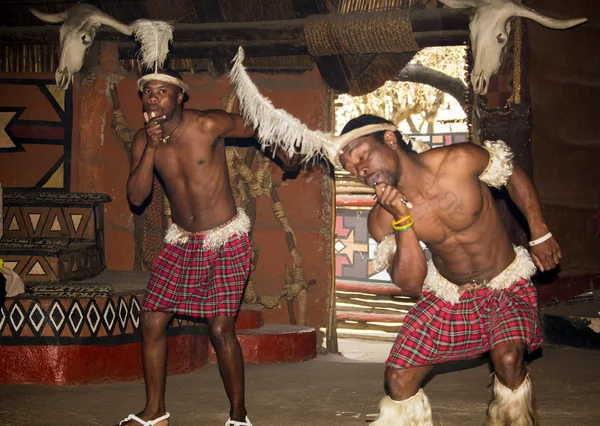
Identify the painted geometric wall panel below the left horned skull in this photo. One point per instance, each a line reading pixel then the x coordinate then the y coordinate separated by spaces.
pixel 30 126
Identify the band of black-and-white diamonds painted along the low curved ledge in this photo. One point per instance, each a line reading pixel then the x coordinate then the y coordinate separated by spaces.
pixel 74 320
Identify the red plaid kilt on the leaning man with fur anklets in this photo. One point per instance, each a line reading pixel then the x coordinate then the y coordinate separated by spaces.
pixel 436 331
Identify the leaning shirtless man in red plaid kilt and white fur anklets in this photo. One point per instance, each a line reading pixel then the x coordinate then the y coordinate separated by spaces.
pixel 475 295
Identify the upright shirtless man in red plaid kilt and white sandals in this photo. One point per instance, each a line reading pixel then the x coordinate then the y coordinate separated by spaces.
pixel 203 269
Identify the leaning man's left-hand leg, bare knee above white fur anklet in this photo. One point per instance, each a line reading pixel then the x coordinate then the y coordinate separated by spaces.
pixel 406 403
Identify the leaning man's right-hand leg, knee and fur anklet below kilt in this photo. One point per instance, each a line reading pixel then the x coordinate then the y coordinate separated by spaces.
pixel 513 402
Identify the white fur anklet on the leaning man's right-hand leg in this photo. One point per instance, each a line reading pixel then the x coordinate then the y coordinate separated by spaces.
pixel 513 407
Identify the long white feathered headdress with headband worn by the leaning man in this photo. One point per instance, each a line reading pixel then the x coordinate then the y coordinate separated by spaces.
pixel 278 129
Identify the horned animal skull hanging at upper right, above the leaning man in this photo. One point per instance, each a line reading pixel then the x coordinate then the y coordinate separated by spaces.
pixel 490 27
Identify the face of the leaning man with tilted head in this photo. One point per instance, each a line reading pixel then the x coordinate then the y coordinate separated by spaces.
pixel 372 162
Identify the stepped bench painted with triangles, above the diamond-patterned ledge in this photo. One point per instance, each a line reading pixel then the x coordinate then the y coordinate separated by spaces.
pixel 53 237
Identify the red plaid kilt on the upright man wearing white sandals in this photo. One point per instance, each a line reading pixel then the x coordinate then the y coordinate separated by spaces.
pixel 190 280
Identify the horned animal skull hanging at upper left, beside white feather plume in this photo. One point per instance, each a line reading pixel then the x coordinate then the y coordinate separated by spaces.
pixel 76 36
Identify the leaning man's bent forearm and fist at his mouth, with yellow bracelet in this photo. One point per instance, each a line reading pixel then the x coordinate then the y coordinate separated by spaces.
pixel 408 267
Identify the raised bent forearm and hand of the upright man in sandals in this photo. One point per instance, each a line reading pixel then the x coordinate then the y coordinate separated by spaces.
pixel 141 177
